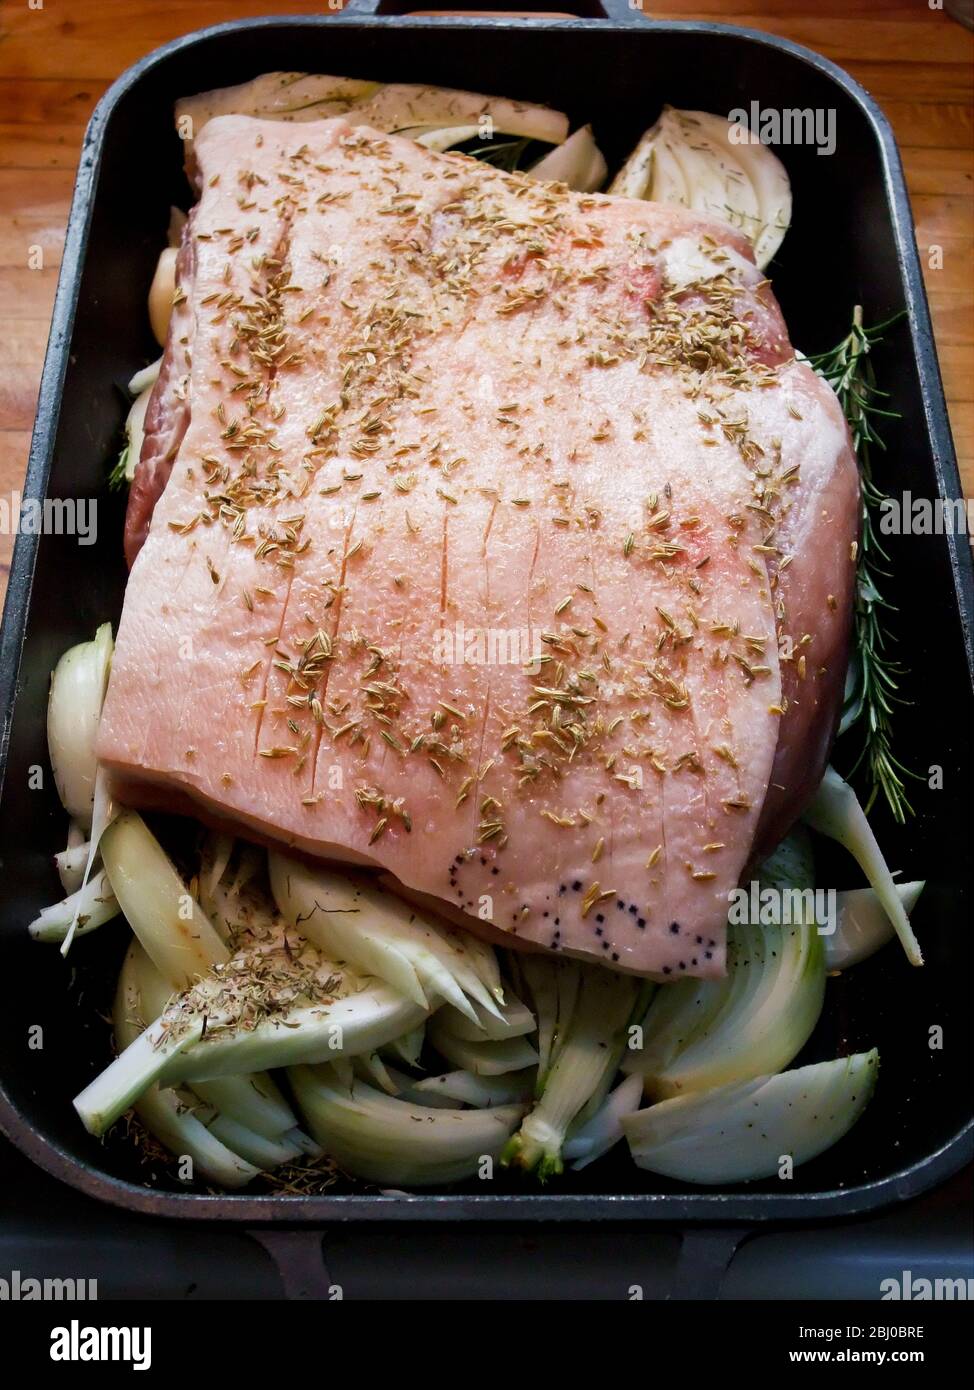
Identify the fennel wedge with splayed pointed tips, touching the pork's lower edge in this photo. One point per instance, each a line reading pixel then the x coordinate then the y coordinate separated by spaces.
pixel 352 919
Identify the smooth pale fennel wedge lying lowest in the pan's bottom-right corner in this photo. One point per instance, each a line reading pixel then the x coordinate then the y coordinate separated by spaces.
pixel 743 1132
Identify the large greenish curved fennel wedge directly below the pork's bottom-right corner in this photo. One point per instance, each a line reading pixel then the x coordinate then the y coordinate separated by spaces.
pixel 705 1033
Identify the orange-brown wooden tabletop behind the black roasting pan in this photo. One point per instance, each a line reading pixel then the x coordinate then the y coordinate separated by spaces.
pixel 59 59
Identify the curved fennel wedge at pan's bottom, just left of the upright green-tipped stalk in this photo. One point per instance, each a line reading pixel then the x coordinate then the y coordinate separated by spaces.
pixel 393 1142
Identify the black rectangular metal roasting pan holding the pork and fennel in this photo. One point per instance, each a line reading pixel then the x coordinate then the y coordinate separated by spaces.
pixel 852 241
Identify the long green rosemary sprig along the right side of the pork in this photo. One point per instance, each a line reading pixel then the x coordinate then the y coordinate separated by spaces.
pixel 873 685
